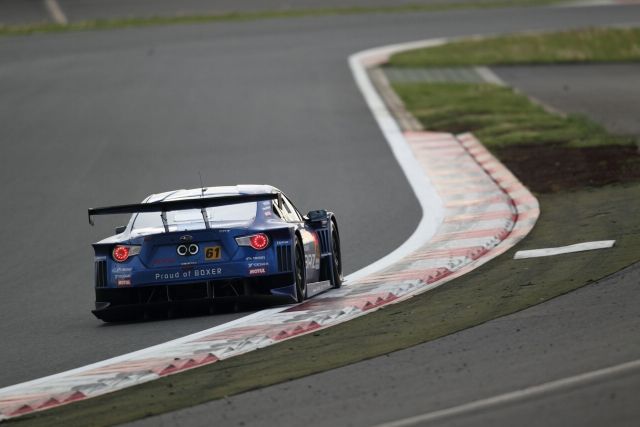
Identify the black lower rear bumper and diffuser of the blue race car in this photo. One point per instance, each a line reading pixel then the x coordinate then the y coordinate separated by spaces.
pixel 115 303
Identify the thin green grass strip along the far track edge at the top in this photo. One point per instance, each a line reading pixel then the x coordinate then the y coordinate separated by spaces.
pixel 17 30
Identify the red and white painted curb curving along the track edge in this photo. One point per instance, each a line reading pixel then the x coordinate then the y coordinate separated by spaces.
pixel 473 210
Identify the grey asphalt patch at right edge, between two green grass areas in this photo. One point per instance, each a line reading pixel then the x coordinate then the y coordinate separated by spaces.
pixel 607 93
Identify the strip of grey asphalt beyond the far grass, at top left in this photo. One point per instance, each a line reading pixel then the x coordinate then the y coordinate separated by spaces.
pixel 14 12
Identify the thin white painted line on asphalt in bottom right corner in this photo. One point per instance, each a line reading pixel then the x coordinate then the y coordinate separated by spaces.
pixel 518 395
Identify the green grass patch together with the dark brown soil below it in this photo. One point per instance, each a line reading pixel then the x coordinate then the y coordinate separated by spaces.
pixel 548 152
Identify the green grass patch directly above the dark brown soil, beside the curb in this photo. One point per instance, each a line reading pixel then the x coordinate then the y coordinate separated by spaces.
pixel 499 116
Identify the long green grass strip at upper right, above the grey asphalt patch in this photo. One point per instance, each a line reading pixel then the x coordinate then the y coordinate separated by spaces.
pixel 578 46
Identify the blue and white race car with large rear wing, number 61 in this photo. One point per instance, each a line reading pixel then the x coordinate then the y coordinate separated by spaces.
pixel 203 246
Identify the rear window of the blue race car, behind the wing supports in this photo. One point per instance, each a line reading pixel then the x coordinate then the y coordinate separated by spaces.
pixel 236 215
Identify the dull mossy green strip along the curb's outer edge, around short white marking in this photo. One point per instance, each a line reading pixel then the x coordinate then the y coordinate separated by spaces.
pixel 498 288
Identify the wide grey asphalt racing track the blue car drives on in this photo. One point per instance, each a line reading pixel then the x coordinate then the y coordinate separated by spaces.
pixel 163 103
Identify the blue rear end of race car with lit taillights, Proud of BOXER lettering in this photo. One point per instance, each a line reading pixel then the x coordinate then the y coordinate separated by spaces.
pixel 162 271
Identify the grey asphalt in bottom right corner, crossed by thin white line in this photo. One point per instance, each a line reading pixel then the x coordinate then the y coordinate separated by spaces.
pixel 592 328
